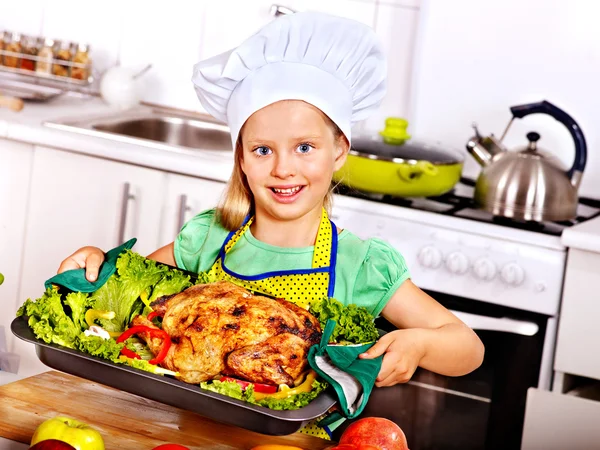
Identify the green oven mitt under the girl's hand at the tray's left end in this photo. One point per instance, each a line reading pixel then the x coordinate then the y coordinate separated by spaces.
pixel 75 279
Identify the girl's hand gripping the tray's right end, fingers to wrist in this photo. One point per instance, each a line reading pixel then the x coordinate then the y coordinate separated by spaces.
pixel 403 350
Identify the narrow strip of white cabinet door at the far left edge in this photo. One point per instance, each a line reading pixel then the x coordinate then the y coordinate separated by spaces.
pixel 15 175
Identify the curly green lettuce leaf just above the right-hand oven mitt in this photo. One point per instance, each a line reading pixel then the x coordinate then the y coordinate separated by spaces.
pixel 354 324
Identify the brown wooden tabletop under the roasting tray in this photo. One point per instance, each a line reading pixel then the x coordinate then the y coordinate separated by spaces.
pixel 124 420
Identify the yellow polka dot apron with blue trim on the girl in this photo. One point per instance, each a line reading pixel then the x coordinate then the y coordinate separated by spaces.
pixel 299 286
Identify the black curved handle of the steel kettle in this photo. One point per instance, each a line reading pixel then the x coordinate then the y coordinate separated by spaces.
pixel 545 107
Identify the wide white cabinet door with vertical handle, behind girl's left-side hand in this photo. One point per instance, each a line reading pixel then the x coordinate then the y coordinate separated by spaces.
pixel 79 200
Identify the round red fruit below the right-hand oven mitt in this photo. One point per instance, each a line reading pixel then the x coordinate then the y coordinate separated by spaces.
pixel 377 432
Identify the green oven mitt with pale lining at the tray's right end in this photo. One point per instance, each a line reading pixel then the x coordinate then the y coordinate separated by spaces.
pixel 352 378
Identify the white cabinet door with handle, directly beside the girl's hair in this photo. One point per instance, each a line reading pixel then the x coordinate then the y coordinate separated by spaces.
pixel 185 197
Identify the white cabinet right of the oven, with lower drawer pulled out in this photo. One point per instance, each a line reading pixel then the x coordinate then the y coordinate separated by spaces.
pixel 560 419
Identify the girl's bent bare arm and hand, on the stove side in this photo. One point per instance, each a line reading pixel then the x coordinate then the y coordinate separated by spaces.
pixel 429 336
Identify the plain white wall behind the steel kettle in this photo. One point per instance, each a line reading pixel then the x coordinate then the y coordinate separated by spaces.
pixel 477 58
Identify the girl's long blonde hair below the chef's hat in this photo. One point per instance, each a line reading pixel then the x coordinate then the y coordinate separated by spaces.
pixel 238 202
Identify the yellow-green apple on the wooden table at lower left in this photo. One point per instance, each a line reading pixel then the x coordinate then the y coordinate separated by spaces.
pixel 78 434
